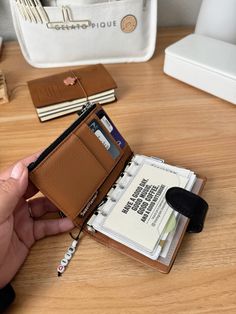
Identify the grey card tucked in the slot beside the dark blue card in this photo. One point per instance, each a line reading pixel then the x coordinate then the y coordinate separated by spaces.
pixel 104 139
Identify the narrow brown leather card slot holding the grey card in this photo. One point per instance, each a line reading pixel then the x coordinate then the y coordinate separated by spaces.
pixel 91 141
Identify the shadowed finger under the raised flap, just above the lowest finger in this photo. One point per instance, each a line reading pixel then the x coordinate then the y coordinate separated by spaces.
pixel 40 206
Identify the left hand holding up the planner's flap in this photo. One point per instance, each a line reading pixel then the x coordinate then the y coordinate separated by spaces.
pixel 18 228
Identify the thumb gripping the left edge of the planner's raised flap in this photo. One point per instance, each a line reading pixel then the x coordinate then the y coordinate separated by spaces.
pixel 12 190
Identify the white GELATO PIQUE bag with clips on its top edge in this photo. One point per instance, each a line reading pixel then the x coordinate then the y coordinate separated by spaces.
pixel 68 32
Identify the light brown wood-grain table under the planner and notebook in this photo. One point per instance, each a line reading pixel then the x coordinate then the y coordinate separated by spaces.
pixel 158 116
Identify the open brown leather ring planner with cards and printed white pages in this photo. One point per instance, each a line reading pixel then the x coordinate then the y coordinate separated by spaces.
pixel 114 195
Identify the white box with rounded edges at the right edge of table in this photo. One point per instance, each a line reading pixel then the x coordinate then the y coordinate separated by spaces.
pixel 205 63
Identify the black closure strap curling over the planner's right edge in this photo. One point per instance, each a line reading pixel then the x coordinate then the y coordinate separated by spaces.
pixel 190 205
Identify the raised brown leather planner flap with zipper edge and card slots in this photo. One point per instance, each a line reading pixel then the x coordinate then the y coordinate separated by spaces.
pixel 80 170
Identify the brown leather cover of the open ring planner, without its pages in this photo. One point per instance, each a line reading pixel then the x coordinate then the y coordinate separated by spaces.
pixel 76 172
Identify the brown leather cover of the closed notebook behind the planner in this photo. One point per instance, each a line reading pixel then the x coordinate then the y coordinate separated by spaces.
pixel 51 89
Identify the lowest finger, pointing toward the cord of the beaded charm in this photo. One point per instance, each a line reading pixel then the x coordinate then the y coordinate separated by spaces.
pixel 44 228
